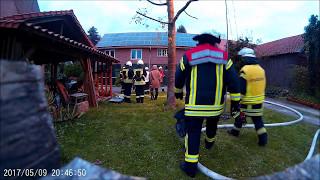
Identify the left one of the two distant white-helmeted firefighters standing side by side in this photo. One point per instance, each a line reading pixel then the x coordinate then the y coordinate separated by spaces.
pixel 127 80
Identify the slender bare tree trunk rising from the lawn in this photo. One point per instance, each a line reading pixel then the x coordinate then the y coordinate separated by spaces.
pixel 171 55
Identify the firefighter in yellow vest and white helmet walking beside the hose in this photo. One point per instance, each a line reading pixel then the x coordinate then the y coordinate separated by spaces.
pixel 252 86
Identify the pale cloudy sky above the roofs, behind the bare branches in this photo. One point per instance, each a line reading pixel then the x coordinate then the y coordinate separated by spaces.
pixel 265 20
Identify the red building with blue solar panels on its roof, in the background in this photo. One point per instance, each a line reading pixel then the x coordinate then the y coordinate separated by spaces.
pixel 152 47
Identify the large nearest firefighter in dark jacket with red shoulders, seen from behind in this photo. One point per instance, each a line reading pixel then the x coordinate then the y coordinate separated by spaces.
pixel 207 73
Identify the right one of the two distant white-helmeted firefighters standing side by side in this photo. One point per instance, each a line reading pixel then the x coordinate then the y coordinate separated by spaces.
pixel 139 81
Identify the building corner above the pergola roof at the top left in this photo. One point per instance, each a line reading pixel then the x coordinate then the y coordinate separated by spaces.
pixel 12 7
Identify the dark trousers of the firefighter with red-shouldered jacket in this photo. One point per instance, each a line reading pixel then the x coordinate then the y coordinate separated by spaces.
pixel 192 139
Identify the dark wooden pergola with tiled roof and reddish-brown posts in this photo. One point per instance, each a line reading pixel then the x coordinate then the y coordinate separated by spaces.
pixel 54 37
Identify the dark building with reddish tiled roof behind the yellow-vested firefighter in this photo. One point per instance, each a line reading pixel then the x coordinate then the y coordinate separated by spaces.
pixel 277 58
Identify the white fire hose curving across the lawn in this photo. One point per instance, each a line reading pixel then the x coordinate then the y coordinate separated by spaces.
pixel 215 175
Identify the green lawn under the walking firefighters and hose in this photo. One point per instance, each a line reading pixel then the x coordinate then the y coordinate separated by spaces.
pixel 140 140
